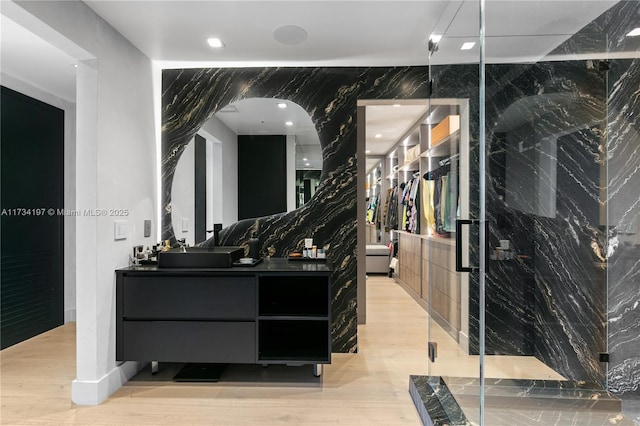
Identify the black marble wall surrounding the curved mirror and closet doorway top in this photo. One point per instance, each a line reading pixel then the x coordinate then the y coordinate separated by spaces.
pixel 329 95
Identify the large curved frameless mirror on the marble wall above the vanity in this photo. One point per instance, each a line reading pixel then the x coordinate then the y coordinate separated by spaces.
pixel 205 184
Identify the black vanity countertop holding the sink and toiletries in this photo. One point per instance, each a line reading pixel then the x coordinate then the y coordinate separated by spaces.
pixel 273 264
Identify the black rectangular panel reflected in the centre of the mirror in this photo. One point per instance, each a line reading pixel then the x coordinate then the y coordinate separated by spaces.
pixel 262 175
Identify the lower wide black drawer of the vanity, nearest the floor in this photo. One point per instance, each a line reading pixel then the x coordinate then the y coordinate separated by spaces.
pixel 188 341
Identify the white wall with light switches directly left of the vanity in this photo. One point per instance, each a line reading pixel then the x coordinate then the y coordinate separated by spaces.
pixel 115 170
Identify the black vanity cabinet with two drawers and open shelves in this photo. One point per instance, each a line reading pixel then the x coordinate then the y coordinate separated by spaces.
pixel 278 311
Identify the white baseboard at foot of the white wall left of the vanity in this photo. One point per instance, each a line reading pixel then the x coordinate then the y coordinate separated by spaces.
pixel 94 392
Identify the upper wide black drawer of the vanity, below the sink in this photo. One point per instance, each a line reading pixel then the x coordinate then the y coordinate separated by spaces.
pixel 189 298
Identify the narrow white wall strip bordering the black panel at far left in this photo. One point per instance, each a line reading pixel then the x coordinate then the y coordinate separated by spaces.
pixel 69 109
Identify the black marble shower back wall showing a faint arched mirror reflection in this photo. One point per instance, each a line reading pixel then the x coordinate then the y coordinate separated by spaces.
pixel 543 142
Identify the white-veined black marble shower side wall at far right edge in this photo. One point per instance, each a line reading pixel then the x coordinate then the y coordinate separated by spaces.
pixel 623 266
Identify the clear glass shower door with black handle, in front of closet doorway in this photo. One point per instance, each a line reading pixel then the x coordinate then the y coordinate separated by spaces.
pixel 450 248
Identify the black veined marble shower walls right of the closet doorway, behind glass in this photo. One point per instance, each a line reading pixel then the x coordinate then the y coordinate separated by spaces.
pixel 553 301
